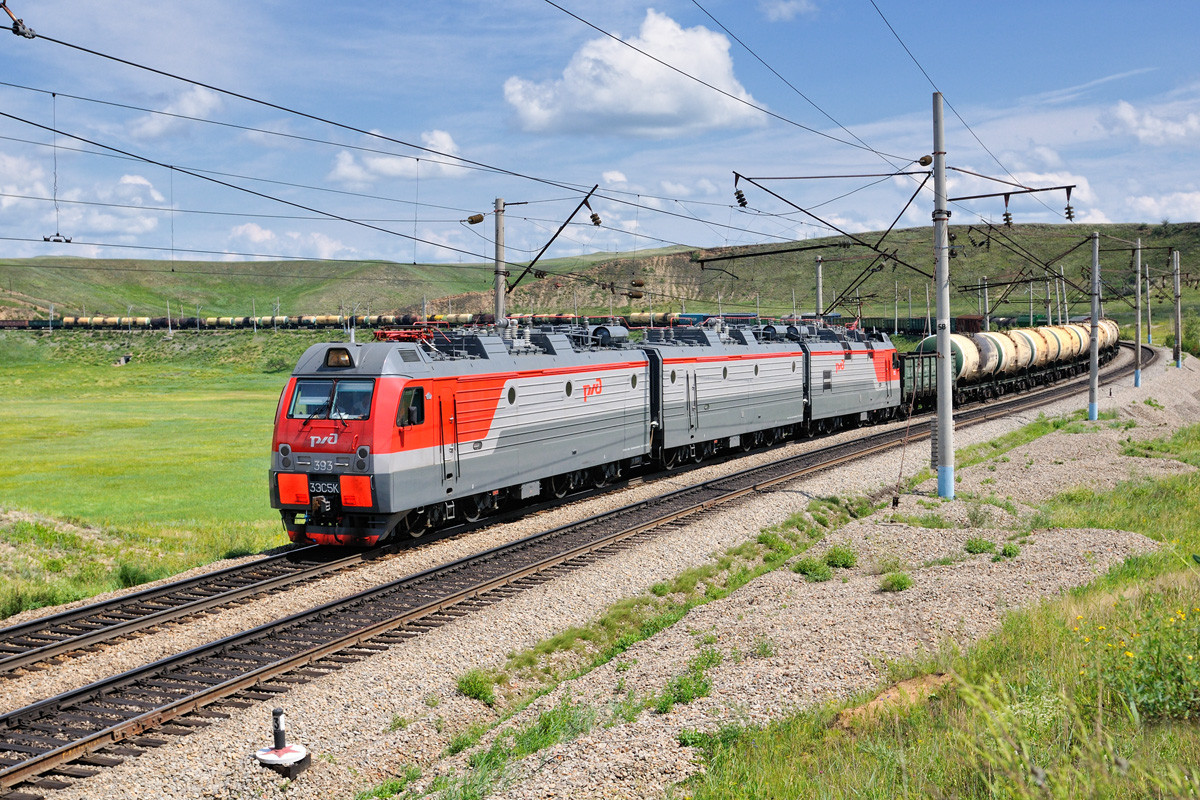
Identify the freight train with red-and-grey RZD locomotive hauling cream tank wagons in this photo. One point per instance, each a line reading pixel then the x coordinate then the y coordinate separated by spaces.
pixel 380 440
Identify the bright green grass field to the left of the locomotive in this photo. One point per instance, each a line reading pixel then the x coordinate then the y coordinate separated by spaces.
pixel 158 466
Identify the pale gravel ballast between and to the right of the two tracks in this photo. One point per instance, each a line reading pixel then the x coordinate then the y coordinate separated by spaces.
pixel 784 642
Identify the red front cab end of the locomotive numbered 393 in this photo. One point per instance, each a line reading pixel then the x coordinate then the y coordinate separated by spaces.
pixel 322 477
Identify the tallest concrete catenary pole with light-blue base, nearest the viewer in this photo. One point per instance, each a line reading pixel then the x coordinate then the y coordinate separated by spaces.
pixel 943 279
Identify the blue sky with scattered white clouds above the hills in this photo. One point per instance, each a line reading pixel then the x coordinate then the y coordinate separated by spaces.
pixel 1102 95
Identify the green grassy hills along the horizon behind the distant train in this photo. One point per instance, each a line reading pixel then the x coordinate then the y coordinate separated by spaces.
pixel 675 279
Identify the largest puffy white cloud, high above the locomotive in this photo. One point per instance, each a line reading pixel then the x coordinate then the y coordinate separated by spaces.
pixel 609 88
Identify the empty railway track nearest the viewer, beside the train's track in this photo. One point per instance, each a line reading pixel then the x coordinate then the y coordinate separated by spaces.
pixel 75 733
